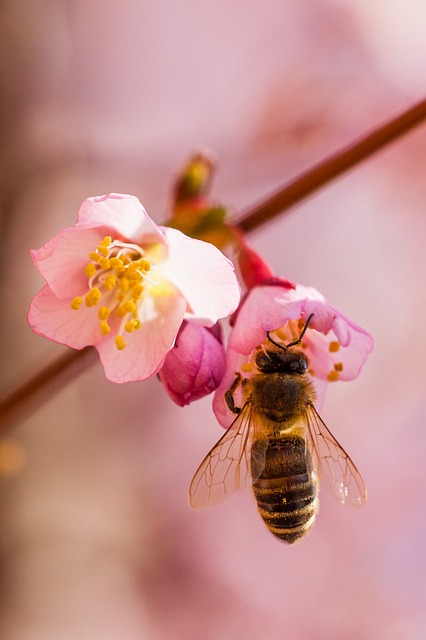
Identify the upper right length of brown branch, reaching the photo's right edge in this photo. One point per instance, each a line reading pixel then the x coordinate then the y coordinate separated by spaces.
pixel 330 168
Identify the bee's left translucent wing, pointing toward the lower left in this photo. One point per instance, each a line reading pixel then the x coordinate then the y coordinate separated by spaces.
pixel 226 468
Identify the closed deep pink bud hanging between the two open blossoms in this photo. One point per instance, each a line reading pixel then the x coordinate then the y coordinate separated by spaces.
pixel 196 364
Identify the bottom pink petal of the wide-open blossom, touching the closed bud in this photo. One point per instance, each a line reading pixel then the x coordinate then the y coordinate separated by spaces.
pixel 147 347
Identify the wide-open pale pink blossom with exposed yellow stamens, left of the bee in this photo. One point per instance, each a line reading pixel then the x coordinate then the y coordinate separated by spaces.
pixel 117 281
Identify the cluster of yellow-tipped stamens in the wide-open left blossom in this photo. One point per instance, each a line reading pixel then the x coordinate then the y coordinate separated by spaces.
pixel 117 274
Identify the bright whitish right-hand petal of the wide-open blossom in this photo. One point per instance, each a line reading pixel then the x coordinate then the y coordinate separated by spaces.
pixel 203 275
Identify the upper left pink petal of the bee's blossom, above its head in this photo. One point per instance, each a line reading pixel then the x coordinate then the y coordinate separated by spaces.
pixel 264 309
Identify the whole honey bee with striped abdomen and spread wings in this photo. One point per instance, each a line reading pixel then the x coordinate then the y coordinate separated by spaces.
pixel 279 445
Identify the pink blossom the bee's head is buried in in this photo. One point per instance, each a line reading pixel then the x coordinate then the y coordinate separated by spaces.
pixel 336 347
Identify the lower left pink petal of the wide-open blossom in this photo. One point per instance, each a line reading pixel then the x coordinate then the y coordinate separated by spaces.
pixel 54 319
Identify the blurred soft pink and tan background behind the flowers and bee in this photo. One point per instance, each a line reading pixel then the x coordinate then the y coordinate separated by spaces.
pixel 96 538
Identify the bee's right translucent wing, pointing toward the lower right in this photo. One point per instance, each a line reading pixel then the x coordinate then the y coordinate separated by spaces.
pixel 345 481
